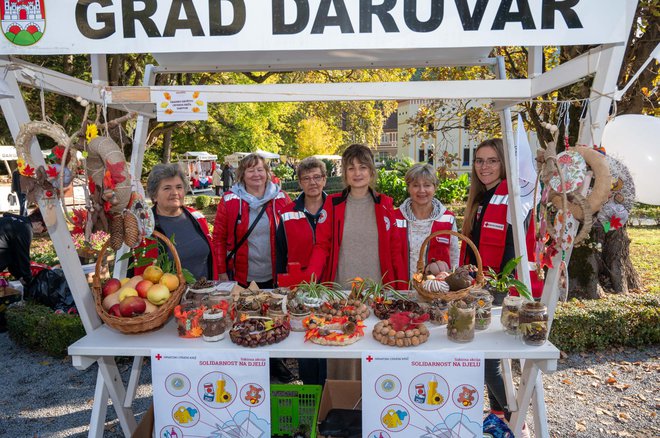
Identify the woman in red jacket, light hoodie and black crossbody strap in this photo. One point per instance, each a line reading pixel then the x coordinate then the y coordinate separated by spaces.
pixel 245 224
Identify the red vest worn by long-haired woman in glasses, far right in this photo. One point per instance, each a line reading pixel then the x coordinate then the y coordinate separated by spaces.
pixel 493 237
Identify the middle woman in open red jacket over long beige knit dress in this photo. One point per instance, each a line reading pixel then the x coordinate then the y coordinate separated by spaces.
pixel 356 237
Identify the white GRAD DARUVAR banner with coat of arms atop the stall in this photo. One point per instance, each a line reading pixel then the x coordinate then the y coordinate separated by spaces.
pixel 49 27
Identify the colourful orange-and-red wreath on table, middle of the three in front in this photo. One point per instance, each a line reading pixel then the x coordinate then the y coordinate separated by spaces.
pixel 337 331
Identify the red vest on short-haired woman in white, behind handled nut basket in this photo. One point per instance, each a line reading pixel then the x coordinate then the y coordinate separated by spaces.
pixel 438 247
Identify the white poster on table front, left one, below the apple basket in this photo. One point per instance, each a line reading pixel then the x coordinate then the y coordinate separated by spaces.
pixel 211 394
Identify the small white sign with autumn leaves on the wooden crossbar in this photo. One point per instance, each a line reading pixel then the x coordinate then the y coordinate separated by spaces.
pixel 173 106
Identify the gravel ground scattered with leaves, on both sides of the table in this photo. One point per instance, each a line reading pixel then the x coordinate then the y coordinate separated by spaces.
pixel 610 394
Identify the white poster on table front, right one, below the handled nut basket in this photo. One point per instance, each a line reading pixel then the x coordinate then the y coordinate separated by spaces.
pixel 422 394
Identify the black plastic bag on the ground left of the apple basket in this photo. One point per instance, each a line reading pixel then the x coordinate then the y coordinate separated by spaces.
pixel 49 287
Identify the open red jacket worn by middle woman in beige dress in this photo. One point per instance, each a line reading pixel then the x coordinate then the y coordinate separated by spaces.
pixel 325 255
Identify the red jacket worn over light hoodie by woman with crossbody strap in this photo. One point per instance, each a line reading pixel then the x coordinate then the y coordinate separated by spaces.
pixel 231 224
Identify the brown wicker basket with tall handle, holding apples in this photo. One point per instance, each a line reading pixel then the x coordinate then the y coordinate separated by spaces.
pixel 147 321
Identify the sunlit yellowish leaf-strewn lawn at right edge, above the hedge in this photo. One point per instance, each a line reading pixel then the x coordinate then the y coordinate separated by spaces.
pixel 645 255
